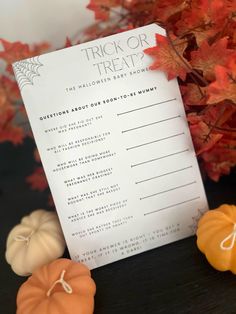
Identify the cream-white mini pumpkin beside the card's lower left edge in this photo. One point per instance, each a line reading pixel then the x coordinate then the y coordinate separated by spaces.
pixel 36 241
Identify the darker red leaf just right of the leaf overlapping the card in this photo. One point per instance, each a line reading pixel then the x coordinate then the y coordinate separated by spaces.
pixel 207 57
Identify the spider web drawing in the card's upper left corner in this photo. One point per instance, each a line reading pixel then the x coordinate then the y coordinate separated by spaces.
pixel 26 71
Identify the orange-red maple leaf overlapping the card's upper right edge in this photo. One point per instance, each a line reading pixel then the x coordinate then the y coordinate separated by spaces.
pixel 169 57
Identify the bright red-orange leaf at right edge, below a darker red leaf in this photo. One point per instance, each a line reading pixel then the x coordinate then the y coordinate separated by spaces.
pixel 224 87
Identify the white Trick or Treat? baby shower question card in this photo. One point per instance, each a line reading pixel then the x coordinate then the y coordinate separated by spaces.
pixel 115 146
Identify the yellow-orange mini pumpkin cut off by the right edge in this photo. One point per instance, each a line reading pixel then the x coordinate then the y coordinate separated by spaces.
pixel 216 236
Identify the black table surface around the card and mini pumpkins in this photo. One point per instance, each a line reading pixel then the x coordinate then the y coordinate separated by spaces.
pixel 175 278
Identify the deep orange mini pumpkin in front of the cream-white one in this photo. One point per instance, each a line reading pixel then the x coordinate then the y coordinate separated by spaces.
pixel 61 287
